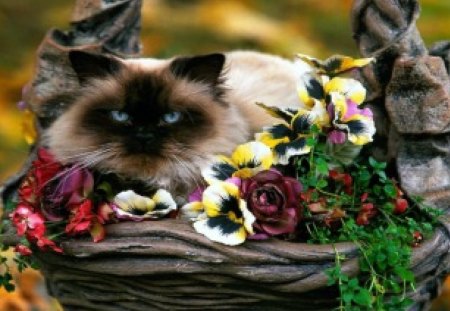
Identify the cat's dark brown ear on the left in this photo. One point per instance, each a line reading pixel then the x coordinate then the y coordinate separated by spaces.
pixel 88 65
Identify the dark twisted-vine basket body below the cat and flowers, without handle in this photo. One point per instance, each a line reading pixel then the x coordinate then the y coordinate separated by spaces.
pixel 166 265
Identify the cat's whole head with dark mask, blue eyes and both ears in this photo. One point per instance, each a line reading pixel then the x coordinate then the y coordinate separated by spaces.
pixel 157 121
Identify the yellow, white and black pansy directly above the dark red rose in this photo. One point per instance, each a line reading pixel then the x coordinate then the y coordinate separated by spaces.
pixel 246 161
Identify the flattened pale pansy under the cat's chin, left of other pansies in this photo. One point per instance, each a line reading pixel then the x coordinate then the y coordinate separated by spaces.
pixel 132 206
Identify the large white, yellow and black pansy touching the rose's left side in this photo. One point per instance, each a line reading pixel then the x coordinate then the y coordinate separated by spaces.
pixel 221 215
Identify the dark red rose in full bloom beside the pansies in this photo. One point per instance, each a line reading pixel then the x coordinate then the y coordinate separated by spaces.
pixel 274 200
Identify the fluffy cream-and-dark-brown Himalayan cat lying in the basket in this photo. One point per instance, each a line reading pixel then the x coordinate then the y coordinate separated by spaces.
pixel 160 121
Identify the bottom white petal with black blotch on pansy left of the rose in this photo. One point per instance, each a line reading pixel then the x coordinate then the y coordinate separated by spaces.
pixel 221 229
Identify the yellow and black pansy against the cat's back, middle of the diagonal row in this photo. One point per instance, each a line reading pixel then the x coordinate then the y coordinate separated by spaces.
pixel 288 140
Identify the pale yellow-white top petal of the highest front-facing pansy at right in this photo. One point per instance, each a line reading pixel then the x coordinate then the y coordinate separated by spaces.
pixel 349 88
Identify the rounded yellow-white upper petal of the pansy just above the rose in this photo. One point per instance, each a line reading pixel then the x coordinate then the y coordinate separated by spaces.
pixel 252 155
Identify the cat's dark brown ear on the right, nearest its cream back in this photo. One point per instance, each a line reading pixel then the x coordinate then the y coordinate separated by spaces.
pixel 203 68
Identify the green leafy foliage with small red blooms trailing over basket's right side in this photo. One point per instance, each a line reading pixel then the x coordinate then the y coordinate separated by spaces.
pixel 384 238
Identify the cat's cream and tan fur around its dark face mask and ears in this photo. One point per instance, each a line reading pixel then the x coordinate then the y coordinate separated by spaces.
pixel 248 77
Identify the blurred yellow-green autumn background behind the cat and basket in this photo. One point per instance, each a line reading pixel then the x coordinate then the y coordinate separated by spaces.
pixel 169 27
